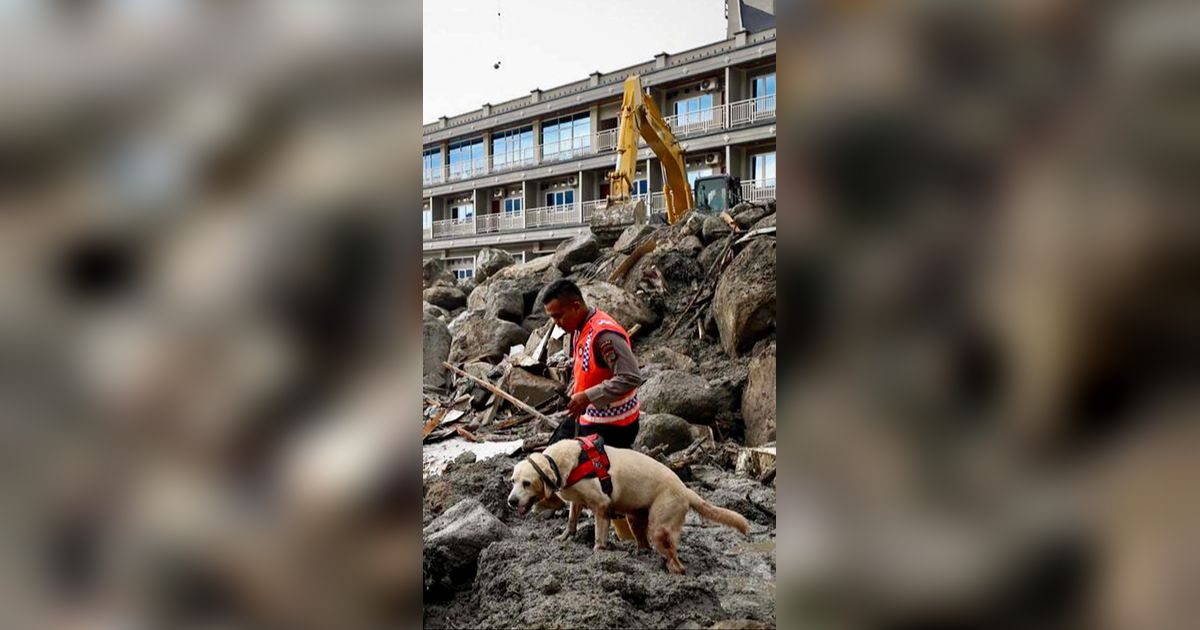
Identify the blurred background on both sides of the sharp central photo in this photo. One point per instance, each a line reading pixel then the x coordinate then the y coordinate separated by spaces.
pixel 208 292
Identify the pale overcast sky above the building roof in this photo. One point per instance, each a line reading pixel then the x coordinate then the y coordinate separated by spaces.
pixel 545 44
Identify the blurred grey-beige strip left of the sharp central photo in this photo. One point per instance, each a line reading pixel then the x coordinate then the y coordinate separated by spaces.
pixel 211 363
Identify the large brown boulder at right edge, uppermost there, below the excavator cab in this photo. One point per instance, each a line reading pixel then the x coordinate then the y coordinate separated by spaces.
pixel 745 304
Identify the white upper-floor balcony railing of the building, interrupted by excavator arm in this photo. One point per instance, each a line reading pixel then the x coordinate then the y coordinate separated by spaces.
pixel 724 117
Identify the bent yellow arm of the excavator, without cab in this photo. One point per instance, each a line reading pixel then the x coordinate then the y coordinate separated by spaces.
pixel 640 118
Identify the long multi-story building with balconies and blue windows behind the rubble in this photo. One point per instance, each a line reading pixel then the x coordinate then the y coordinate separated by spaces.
pixel 526 175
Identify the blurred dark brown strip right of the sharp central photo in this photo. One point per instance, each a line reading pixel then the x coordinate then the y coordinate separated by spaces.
pixel 992 315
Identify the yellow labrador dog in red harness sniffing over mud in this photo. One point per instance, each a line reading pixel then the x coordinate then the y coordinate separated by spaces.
pixel 651 495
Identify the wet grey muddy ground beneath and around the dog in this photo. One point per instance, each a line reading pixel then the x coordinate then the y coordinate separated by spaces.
pixel 530 580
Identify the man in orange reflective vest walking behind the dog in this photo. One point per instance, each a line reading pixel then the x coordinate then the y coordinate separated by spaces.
pixel 605 377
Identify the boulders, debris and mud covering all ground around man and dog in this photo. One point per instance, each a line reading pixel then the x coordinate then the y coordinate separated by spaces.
pixel 699 302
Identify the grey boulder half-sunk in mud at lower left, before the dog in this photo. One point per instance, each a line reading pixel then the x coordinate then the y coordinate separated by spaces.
pixel 453 544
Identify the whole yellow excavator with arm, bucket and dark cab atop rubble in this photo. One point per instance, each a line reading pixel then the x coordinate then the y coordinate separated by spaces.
pixel 640 118
